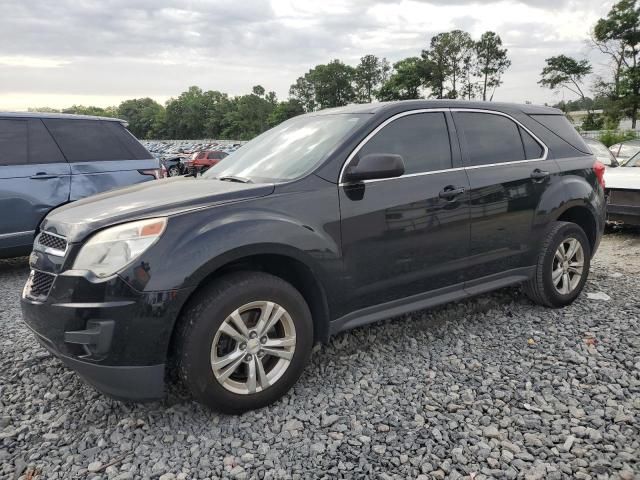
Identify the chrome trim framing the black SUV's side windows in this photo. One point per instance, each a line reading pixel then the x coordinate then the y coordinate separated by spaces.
pixel 434 172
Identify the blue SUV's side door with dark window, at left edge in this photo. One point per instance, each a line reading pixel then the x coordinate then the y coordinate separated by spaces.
pixel 34 179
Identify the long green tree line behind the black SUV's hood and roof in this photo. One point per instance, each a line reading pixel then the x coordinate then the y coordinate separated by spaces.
pixel 453 66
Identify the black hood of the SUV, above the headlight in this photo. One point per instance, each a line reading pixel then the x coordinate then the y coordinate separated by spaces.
pixel 156 198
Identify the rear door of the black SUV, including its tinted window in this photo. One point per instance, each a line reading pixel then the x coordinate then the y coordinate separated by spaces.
pixel 508 172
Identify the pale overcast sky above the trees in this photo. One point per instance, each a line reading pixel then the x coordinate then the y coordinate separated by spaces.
pixel 102 52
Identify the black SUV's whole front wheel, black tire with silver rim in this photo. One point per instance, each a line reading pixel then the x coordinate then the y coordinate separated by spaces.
pixel 200 326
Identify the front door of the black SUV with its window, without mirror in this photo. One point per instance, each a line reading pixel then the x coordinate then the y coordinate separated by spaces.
pixel 407 235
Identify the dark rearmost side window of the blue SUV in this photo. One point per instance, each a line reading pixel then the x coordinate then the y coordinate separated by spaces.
pixel 87 140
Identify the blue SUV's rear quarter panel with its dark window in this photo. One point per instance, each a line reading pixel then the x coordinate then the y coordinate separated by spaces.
pixel 103 155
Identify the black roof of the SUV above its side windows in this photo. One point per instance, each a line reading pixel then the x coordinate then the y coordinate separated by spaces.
pixel 416 104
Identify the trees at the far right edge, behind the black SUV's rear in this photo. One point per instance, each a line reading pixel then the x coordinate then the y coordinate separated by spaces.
pixel 617 91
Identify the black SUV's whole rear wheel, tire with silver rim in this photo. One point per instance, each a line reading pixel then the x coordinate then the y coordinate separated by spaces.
pixel 544 288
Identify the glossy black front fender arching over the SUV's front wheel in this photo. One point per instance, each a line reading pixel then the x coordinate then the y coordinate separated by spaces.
pixel 198 243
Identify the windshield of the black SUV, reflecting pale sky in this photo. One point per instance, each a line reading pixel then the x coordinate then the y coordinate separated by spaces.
pixel 288 151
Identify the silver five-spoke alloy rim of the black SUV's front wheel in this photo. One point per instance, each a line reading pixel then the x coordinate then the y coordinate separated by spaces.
pixel 253 347
